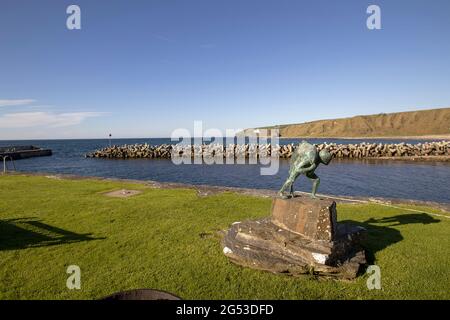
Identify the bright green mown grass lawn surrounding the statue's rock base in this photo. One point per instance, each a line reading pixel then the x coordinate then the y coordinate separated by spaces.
pixel 168 240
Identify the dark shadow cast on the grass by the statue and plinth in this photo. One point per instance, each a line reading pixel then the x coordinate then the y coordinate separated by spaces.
pixel 381 235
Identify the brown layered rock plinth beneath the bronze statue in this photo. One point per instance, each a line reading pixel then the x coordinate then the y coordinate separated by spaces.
pixel 301 237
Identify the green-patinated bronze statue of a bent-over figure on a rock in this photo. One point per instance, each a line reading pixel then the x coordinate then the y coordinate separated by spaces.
pixel 305 160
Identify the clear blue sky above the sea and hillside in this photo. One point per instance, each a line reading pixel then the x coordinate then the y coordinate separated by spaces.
pixel 145 68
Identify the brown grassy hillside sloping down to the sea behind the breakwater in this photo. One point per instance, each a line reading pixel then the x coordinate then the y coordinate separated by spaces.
pixel 401 124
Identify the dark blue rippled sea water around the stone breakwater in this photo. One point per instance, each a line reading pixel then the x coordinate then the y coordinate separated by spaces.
pixel 416 180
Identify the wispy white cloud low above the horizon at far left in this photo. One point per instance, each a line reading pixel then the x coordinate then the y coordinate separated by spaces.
pixel 49 119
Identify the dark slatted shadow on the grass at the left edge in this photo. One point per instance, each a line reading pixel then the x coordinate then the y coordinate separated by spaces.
pixel 25 233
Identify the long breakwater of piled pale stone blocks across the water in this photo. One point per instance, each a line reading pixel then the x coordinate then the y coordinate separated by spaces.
pixel 362 150
